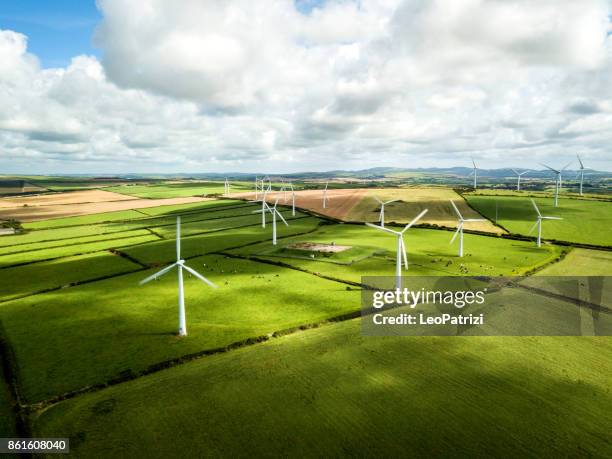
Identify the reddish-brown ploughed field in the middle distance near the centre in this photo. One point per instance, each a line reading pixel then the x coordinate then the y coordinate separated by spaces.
pixel 339 202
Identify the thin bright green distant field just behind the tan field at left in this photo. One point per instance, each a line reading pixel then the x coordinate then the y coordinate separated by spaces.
pixel 175 190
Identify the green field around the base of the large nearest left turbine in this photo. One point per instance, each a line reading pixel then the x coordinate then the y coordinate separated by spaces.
pixel 64 342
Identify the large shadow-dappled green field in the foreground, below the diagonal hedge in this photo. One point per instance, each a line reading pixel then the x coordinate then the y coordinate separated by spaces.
pixel 350 395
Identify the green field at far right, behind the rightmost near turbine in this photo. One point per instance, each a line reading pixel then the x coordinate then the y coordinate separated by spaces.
pixel 584 221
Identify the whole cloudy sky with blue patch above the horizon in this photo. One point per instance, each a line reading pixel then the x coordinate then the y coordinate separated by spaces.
pixel 286 86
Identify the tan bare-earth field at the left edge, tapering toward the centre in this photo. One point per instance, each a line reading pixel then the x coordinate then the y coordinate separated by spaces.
pixel 78 203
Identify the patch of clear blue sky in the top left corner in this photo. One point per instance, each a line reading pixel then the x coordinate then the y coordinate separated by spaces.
pixel 57 30
